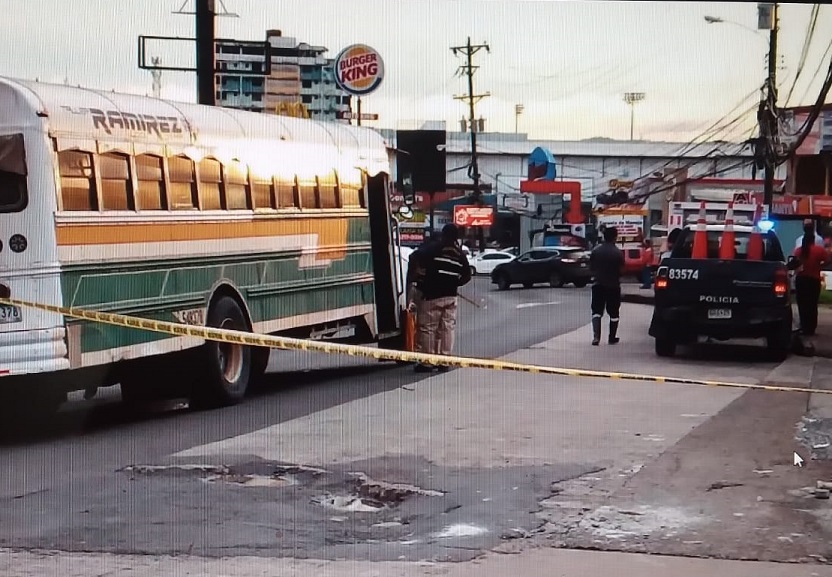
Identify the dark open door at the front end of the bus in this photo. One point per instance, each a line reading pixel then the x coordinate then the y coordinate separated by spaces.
pixel 385 257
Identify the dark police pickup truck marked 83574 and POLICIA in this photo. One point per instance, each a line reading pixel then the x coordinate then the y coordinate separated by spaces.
pixel 722 299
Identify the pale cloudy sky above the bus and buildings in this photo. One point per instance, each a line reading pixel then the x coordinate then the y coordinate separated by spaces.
pixel 568 63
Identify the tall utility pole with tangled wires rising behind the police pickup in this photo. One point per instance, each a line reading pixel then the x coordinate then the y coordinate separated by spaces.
pixel 768 107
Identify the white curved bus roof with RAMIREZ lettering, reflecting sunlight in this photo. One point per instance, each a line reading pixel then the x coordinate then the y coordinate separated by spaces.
pixel 78 118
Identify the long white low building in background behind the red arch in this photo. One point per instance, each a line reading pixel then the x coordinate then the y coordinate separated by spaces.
pixel 503 163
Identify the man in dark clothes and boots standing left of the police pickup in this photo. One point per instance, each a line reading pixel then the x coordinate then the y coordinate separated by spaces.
pixel 606 263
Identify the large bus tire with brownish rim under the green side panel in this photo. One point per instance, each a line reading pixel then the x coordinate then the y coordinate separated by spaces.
pixel 228 367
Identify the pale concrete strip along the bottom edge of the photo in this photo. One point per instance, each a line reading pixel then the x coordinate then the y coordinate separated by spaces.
pixel 535 563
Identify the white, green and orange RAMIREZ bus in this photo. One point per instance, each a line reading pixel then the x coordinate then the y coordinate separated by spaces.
pixel 188 213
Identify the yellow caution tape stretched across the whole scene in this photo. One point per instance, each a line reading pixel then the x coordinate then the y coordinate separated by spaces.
pixel 270 341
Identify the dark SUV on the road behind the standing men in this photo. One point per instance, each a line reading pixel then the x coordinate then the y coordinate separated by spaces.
pixel 554 265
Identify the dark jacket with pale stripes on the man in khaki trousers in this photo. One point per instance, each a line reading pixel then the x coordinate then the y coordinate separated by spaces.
pixel 443 268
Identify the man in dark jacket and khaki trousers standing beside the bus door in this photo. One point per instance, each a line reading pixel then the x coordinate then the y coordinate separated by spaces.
pixel 445 269
